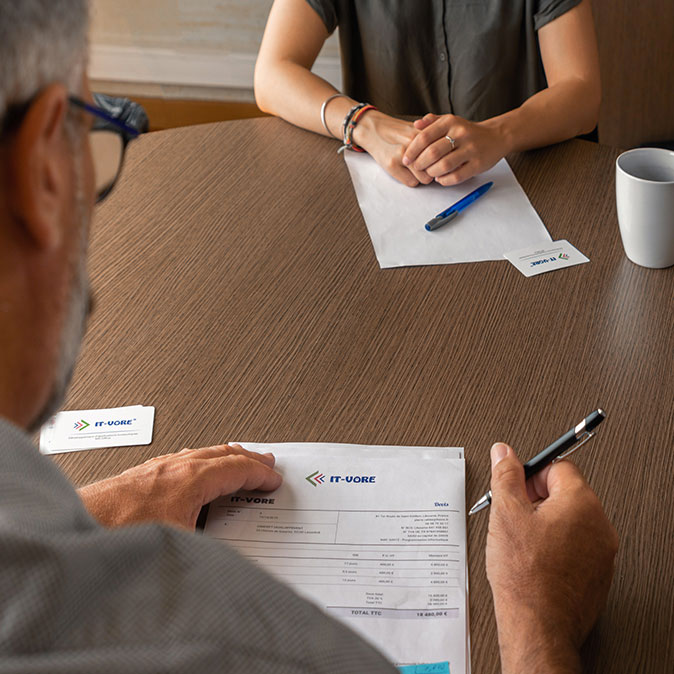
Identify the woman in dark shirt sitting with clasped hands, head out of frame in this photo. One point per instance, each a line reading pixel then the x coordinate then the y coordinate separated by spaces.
pixel 484 78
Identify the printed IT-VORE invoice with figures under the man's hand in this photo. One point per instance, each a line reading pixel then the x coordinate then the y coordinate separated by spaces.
pixel 375 536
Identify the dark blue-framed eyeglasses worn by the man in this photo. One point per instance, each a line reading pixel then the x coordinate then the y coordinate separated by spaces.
pixel 108 138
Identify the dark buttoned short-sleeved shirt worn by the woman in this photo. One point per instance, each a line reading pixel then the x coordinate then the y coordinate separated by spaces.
pixel 473 58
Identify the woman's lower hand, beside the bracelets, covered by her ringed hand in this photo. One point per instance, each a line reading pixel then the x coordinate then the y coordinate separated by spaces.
pixel 385 138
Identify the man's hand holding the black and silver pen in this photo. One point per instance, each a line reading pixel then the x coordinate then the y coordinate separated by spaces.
pixel 550 555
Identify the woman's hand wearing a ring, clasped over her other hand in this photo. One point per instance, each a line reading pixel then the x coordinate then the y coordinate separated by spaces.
pixel 478 146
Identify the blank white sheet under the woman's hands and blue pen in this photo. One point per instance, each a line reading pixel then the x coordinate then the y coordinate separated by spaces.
pixel 395 215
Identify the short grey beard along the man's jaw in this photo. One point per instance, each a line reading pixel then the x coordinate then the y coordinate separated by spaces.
pixel 79 308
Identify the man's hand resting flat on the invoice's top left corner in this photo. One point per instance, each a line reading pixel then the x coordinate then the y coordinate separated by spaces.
pixel 173 488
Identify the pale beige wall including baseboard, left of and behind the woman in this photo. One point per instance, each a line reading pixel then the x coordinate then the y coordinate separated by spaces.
pixel 203 49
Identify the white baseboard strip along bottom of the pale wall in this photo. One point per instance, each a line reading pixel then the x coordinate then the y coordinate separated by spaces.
pixel 186 69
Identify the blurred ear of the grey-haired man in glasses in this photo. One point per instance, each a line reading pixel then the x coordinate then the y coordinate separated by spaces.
pixel 40 181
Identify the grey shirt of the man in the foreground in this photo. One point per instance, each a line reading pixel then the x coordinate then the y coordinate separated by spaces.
pixel 76 597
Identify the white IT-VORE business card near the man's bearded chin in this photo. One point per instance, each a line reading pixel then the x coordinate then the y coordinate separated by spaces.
pixel 76 430
